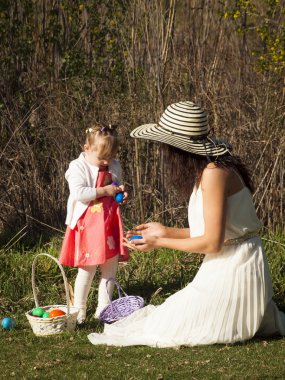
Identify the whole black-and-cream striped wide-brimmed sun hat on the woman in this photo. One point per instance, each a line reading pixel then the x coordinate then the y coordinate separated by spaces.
pixel 185 126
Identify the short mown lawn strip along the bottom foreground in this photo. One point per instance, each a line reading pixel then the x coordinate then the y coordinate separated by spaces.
pixel 71 356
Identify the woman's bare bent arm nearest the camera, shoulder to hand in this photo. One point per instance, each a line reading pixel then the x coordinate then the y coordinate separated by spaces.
pixel 214 185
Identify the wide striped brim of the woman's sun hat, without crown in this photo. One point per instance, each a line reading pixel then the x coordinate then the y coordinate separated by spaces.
pixel 155 132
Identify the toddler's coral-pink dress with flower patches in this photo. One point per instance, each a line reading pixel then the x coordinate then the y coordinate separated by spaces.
pixel 98 234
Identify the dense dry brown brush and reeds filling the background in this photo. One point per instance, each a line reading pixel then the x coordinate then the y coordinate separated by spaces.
pixel 65 64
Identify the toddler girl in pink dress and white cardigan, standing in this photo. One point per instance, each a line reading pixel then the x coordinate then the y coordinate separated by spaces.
pixel 94 225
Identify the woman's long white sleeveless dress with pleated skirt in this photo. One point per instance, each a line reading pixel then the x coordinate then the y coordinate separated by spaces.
pixel 229 300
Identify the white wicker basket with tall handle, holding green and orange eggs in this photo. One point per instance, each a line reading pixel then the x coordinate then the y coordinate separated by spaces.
pixel 56 325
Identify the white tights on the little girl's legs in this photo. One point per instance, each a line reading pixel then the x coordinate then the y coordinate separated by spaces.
pixel 83 283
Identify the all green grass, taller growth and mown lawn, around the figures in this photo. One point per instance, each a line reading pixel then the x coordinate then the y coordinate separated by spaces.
pixel 154 275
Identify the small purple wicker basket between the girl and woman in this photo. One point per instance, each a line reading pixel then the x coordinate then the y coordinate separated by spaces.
pixel 121 307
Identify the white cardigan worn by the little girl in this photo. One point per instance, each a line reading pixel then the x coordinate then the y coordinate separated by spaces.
pixel 82 181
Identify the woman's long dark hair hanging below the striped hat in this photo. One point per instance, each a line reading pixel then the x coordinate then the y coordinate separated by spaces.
pixel 184 170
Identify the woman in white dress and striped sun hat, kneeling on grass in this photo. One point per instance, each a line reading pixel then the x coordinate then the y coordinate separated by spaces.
pixel 230 298
